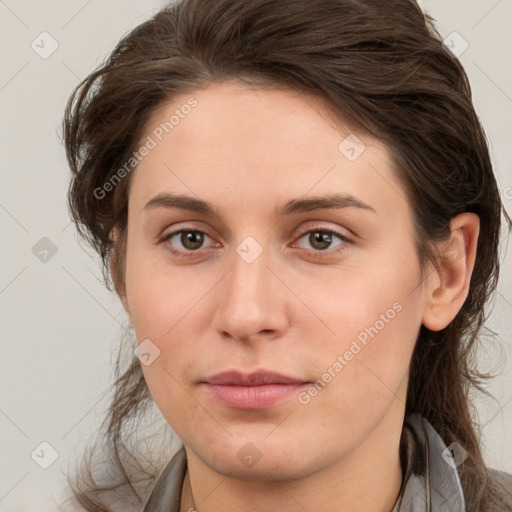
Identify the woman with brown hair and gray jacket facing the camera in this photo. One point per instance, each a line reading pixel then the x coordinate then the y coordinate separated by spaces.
pixel 296 204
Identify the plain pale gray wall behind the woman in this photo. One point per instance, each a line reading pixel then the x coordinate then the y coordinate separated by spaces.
pixel 60 326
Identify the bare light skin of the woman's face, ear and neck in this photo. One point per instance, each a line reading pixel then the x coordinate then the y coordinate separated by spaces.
pixel 293 310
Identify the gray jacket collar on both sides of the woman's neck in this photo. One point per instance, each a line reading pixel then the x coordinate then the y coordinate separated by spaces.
pixel 431 481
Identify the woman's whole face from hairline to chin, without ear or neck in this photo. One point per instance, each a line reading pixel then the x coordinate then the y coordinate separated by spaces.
pixel 325 293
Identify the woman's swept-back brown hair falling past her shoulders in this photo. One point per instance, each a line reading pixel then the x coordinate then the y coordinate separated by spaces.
pixel 383 67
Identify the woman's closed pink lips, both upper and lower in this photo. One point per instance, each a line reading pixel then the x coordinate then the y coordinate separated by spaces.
pixel 257 390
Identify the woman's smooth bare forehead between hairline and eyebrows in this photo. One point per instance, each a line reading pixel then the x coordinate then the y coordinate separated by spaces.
pixel 261 146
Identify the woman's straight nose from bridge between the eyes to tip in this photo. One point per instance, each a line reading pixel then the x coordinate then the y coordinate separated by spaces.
pixel 250 301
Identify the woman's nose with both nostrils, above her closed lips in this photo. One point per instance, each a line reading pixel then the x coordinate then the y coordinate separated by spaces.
pixel 253 302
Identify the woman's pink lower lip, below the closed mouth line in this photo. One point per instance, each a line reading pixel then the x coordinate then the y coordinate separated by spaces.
pixel 253 397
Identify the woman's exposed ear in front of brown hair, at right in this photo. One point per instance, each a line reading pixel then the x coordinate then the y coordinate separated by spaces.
pixel 447 289
